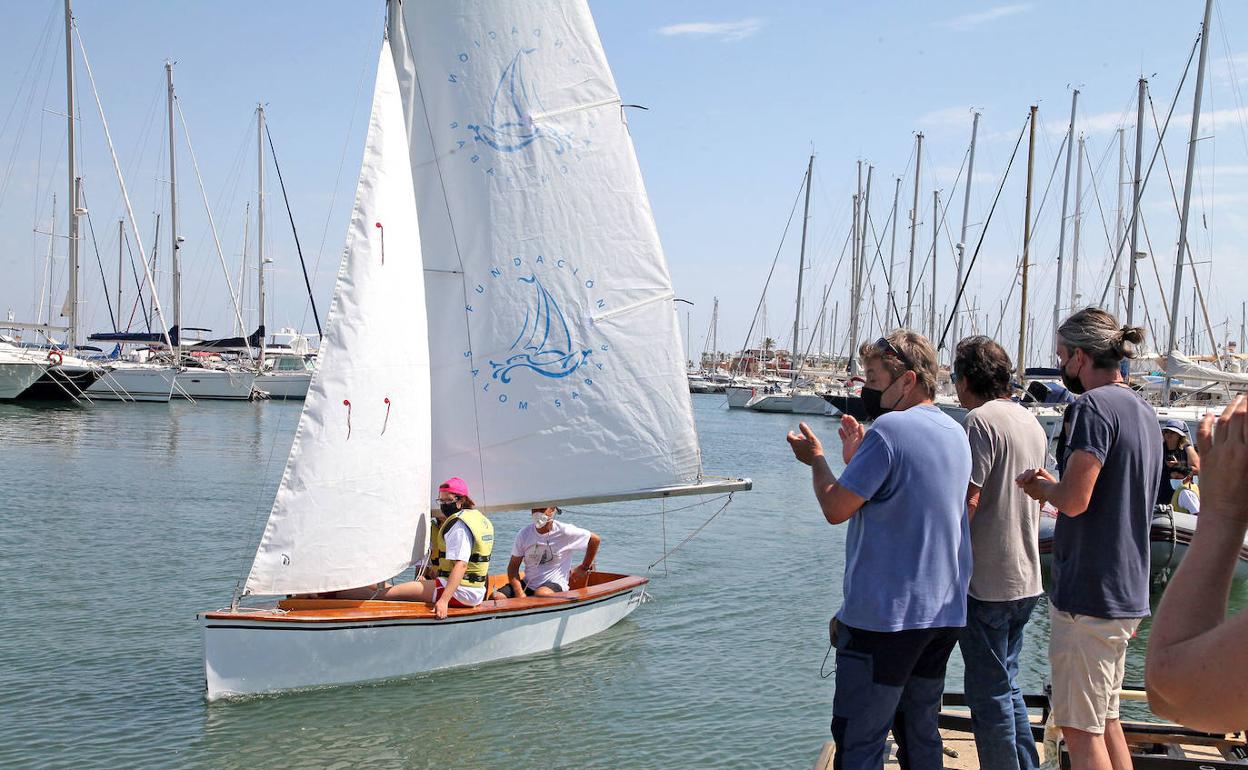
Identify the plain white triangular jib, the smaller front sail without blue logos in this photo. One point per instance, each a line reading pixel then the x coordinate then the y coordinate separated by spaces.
pixel 354 502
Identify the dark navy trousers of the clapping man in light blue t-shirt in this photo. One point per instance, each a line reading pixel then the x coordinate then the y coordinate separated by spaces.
pixel 890 680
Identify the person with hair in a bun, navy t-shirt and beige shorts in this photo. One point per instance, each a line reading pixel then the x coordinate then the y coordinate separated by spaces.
pixel 1110 475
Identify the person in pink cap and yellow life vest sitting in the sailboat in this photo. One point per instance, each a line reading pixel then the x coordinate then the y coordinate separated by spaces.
pixel 460 548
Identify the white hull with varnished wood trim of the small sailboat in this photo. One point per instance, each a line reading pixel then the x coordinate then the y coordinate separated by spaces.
pixel 256 652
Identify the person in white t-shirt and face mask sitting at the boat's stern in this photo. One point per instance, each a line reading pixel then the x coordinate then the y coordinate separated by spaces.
pixel 546 548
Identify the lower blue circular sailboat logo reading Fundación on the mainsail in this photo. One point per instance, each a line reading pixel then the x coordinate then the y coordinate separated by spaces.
pixel 547 361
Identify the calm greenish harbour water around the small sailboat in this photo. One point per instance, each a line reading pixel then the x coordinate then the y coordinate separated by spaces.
pixel 119 522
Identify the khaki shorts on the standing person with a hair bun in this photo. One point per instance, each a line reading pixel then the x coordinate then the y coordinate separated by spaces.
pixel 1089 660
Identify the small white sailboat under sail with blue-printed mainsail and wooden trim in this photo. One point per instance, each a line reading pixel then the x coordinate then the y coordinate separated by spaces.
pixel 407 392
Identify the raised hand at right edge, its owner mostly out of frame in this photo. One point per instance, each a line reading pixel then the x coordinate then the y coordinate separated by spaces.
pixel 1224 446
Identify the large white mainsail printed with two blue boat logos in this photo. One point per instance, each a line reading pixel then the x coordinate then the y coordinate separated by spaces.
pixel 557 366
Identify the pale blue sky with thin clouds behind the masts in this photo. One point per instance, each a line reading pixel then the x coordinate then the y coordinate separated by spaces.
pixel 738 95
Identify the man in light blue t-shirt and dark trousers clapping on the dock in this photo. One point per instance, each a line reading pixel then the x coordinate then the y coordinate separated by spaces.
pixel 908 556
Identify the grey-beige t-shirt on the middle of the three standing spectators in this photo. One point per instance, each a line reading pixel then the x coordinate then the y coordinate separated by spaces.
pixel 1005 441
